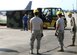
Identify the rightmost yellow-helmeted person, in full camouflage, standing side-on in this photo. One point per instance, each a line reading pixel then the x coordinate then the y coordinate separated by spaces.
pixel 73 28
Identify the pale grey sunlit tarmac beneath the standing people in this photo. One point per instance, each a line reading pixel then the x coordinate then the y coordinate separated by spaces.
pixel 16 42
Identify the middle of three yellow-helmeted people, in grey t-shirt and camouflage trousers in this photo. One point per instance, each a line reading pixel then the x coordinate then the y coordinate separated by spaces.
pixel 60 29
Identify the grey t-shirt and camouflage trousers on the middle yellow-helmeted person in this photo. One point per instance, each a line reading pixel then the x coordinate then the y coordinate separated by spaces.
pixel 60 31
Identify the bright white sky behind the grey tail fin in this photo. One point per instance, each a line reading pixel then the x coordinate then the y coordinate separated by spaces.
pixel 21 4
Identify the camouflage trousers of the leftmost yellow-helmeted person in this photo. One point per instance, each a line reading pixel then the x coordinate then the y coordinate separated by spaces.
pixel 35 35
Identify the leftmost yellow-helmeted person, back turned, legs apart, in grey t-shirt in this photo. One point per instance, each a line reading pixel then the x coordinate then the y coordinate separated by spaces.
pixel 36 27
